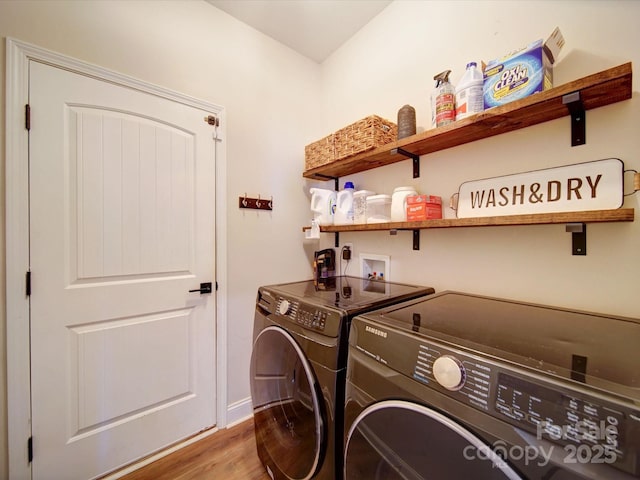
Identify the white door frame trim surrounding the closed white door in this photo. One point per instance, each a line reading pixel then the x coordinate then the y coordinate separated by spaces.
pixel 19 54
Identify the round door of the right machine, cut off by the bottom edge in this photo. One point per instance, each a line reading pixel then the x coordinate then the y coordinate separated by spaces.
pixel 402 440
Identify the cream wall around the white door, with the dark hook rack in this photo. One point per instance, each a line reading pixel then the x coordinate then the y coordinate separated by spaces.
pixel 268 92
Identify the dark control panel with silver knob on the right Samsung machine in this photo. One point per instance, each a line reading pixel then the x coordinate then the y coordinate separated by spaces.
pixel 590 427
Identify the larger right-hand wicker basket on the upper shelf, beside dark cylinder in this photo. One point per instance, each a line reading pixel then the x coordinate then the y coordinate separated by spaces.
pixel 364 135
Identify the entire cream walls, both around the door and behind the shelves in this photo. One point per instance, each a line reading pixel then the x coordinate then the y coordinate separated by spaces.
pixel 277 102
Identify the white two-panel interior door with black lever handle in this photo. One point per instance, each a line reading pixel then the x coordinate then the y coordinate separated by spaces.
pixel 122 188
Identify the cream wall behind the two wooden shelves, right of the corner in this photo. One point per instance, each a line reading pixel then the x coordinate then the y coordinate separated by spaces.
pixel 391 62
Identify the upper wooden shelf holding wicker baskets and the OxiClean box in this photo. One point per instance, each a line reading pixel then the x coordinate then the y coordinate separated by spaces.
pixel 597 90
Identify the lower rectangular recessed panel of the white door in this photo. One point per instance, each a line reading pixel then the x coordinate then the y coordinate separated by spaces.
pixel 113 383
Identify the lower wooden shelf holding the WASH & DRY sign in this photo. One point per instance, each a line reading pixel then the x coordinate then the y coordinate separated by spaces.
pixel 593 216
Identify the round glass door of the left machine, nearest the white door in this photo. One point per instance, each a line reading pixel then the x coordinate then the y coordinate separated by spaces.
pixel 286 404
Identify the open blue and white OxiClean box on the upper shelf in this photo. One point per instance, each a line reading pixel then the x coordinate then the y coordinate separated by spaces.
pixel 521 73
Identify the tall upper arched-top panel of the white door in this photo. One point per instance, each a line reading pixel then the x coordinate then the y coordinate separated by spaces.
pixel 128 223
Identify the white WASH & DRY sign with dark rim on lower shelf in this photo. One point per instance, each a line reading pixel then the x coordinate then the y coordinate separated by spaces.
pixel 596 185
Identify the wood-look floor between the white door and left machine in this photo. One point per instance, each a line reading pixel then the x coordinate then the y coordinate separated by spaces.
pixel 228 454
